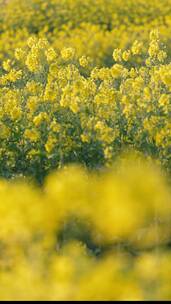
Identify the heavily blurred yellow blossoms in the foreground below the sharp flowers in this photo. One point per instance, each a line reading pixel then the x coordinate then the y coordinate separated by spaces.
pixel 87 236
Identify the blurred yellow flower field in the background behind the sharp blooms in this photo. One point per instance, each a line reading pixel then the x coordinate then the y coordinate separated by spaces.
pixel 93 27
